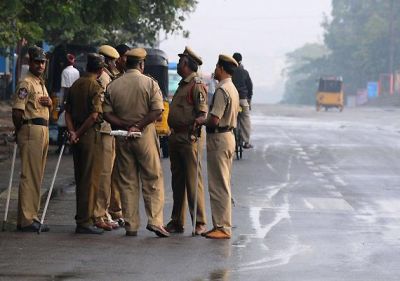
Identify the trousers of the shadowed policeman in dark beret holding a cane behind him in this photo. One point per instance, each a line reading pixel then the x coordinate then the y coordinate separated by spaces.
pixel 88 157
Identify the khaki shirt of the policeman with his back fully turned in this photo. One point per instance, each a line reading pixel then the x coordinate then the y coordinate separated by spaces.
pixel 132 96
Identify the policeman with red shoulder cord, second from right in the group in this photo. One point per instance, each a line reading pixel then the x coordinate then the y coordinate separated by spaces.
pixel 187 113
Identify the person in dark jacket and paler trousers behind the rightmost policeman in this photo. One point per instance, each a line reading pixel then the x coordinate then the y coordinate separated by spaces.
pixel 242 81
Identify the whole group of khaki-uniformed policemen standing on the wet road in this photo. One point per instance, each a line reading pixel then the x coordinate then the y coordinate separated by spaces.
pixel 110 172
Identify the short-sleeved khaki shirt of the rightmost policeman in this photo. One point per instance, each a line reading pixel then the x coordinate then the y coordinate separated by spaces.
pixel 225 104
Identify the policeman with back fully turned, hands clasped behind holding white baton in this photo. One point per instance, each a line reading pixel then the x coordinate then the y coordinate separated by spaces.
pixel 133 102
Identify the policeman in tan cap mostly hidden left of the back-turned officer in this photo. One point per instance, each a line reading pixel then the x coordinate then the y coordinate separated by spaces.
pixel 108 202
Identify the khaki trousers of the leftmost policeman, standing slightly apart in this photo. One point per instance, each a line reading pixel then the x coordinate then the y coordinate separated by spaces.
pixel 33 143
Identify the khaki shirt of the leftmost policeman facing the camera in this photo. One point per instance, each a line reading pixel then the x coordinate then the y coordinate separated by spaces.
pixel 28 92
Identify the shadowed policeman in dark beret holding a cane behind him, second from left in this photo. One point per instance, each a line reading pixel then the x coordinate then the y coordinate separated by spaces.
pixel 83 108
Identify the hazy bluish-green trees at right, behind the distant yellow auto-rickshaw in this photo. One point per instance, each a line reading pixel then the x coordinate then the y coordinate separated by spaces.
pixel 362 39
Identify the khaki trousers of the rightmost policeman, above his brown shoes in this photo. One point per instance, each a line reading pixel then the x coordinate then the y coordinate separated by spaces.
pixel 220 151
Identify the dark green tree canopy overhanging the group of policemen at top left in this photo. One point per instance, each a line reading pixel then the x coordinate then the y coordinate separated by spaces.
pixel 90 21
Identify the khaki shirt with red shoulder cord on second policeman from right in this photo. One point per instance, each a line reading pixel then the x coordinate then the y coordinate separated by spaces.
pixel 189 100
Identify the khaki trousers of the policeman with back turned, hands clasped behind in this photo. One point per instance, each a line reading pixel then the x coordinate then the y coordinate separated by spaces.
pixel 139 160
